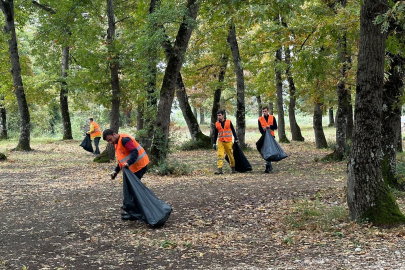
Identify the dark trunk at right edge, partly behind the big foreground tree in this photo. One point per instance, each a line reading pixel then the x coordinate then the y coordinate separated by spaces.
pixel 391 119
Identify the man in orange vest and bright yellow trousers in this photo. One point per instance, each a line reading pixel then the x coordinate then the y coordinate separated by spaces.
pixel 223 132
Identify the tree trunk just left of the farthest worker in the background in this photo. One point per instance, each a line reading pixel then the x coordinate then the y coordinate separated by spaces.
pixel 64 104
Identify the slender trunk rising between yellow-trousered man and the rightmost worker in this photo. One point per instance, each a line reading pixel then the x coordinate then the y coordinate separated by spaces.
pixel 240 85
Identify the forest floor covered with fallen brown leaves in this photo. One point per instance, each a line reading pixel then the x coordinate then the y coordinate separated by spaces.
pixel 60 210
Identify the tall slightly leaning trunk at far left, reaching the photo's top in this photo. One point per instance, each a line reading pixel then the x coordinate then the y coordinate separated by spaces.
pixel 7 7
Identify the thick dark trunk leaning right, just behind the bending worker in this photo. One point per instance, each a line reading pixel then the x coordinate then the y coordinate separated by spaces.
pixel 161 136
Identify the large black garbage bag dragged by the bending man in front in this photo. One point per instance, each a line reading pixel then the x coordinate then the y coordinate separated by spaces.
pixel 141 204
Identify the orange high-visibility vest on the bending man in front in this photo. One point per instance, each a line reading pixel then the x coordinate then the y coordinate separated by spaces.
pixel 123 154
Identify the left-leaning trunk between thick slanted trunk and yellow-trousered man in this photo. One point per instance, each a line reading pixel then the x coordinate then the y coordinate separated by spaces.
pixel 189 116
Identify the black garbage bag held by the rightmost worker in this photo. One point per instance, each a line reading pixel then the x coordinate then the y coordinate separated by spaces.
pixel 269 148
